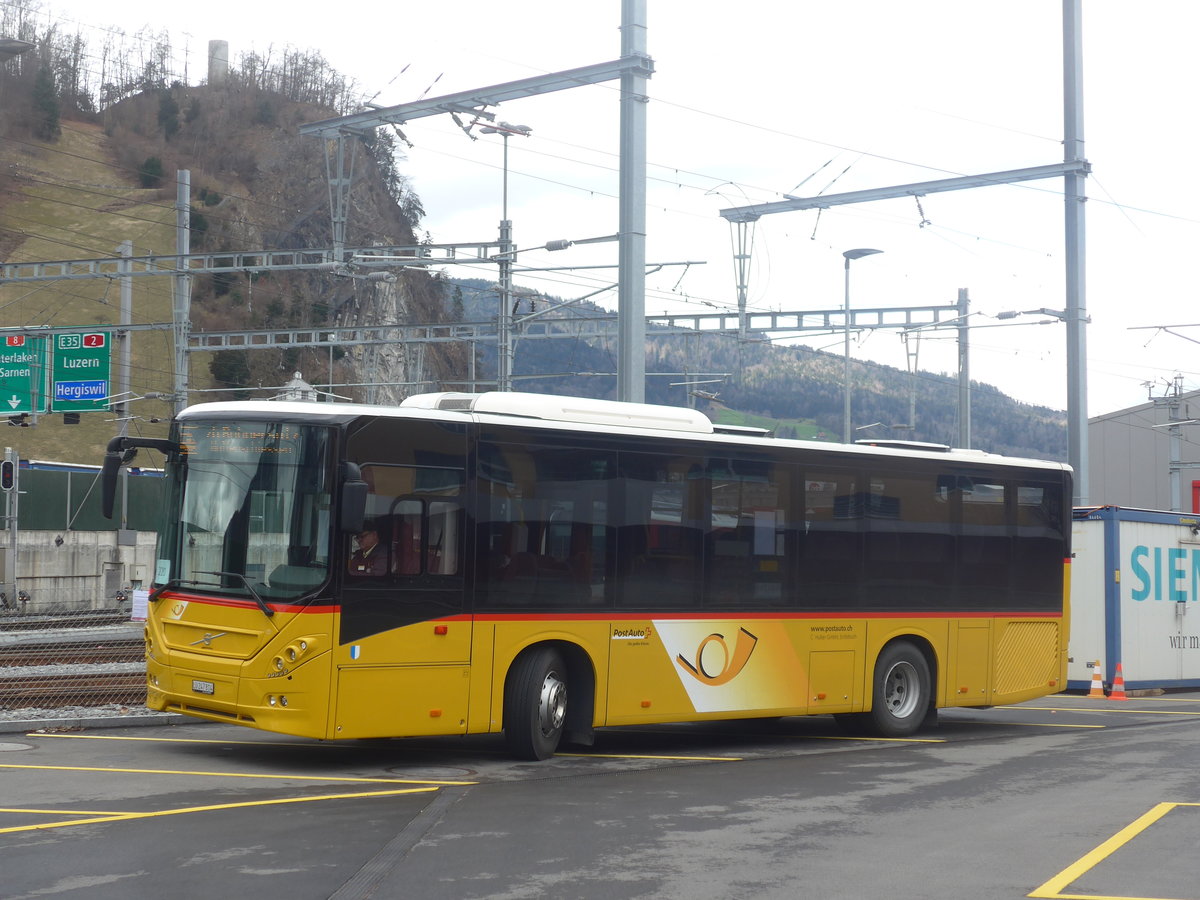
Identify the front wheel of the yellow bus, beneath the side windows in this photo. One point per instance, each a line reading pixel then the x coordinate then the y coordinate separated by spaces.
pixel 536 704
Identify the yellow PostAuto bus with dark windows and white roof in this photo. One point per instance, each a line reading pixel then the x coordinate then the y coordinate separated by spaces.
pixel 544 566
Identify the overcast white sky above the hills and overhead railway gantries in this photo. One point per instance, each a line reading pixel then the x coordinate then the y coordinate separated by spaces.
pixel 761 99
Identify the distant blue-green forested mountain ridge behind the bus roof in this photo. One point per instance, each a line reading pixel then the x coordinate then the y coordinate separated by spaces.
pixel 799 387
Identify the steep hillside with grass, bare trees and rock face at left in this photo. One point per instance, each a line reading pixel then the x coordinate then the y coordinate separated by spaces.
pixel 77 183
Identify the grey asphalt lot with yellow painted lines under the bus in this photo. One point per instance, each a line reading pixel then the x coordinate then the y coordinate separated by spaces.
pixel 1065 797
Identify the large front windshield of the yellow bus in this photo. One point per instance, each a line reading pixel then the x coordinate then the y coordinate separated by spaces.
pixel 249 509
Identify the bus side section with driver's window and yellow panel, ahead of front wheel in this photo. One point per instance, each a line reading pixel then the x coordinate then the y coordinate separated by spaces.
pixel 404 651
